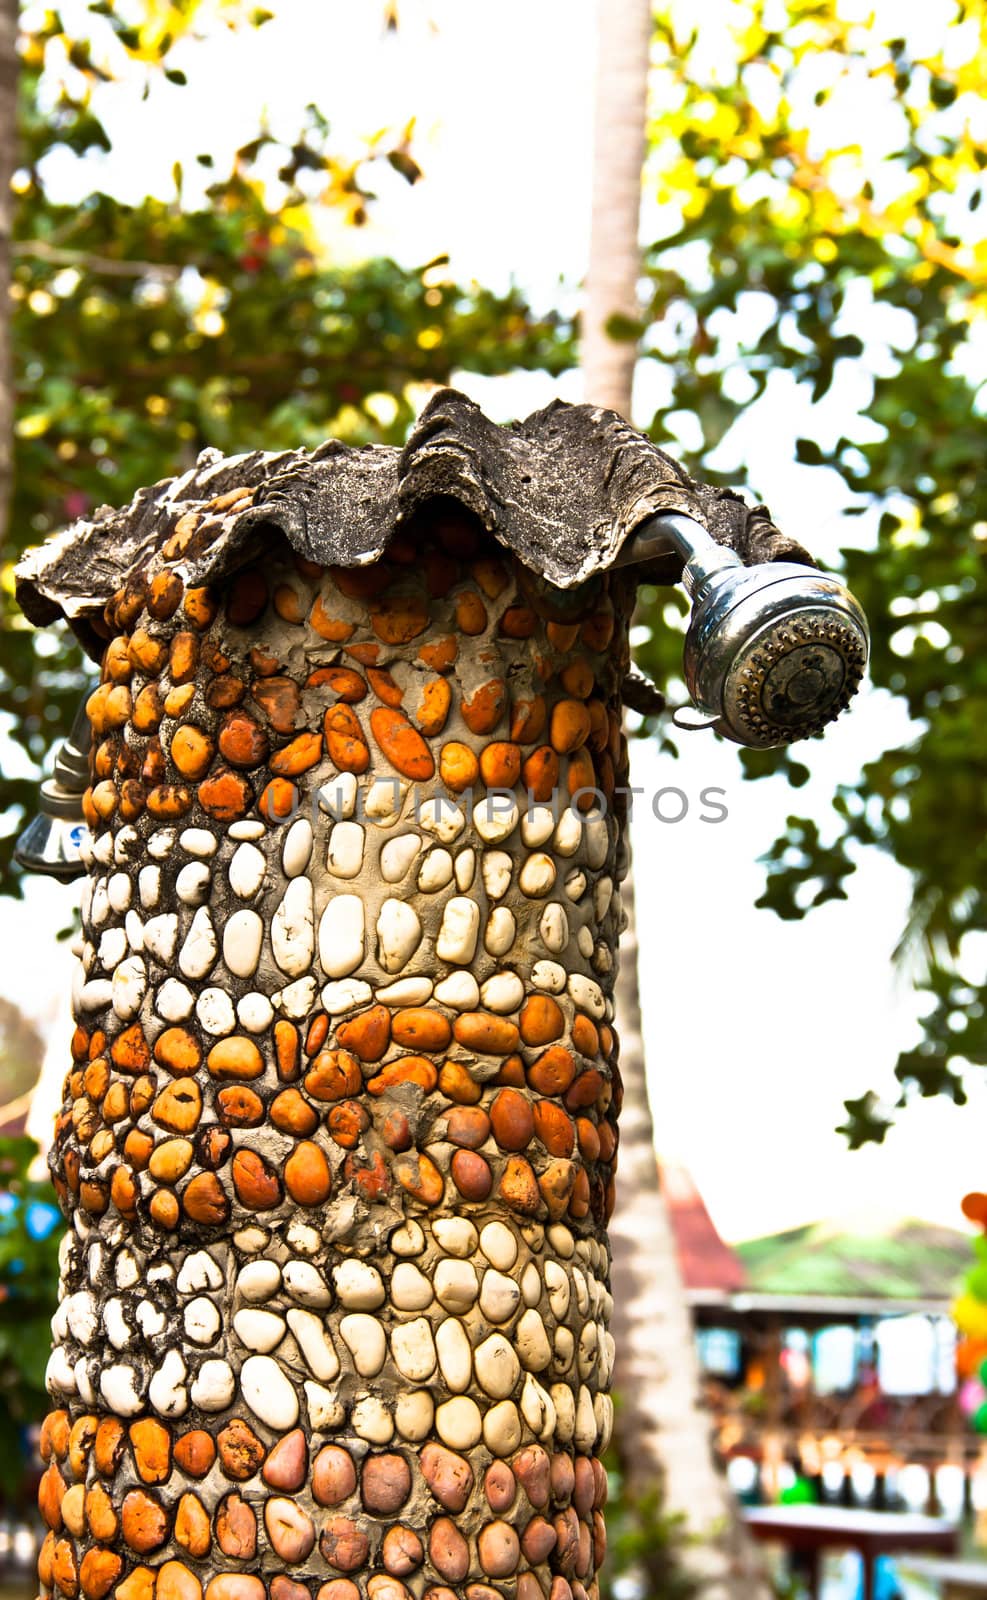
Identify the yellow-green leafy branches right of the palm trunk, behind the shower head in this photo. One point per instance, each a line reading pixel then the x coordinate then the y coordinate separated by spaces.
pixel 818 172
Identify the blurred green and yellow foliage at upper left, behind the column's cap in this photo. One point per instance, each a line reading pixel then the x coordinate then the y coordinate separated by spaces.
pixel 146 332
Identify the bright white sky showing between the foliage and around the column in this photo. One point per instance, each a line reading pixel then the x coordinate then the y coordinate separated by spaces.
pixel 757 1030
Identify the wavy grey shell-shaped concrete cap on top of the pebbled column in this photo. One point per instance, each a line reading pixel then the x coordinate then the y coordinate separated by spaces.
pixel 562 490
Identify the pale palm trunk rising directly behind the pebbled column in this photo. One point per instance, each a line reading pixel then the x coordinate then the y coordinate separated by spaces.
pixel 663 1433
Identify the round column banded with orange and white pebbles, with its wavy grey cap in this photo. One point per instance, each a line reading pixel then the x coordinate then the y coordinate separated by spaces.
pixel 340 1127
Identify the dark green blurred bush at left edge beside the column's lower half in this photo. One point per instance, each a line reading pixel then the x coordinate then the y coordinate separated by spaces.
pixel 30 1238
